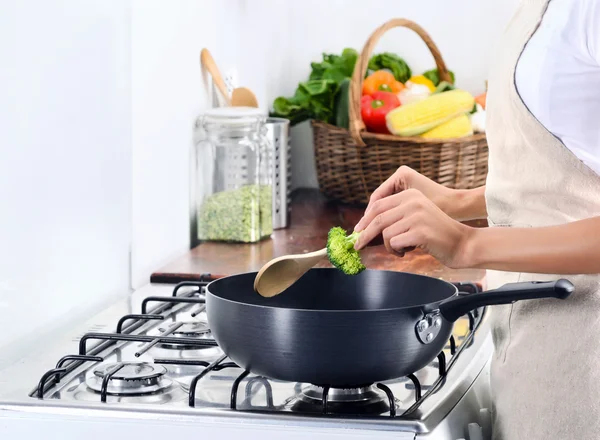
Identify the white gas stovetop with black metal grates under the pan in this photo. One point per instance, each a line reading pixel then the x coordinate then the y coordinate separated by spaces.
pixel 158 355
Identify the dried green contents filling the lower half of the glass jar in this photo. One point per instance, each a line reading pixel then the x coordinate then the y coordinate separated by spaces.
pixel 240 215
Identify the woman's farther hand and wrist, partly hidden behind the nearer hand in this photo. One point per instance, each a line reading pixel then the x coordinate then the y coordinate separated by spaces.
pixel 458 204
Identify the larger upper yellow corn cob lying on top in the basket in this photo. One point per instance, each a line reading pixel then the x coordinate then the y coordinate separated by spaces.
pixel 419 117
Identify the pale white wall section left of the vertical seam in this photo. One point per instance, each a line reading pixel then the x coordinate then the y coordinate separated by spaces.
pixel 65 163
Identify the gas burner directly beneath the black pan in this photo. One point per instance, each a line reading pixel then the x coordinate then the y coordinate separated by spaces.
pixel 356 401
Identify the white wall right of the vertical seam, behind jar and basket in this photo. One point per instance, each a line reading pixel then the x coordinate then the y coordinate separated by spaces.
pixel 271 44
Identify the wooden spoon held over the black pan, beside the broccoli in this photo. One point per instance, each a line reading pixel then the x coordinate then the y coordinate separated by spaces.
pixel 280 273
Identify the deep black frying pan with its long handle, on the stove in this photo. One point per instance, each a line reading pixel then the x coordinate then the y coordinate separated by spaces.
pixel 346 331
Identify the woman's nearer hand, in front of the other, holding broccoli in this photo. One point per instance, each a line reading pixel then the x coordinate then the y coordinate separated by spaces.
pixel 409 219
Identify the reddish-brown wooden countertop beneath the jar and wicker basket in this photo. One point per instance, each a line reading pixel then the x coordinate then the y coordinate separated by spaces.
pixel 311 218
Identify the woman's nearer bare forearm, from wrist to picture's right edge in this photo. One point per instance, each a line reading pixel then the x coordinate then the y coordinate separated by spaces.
pixel 572 248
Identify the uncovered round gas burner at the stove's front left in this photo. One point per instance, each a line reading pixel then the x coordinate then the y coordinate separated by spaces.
pixel 135 378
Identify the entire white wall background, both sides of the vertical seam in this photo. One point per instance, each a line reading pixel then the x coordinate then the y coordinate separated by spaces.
pixel 97 106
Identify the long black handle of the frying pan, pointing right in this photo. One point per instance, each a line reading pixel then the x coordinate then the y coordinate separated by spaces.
pixel 455 307
